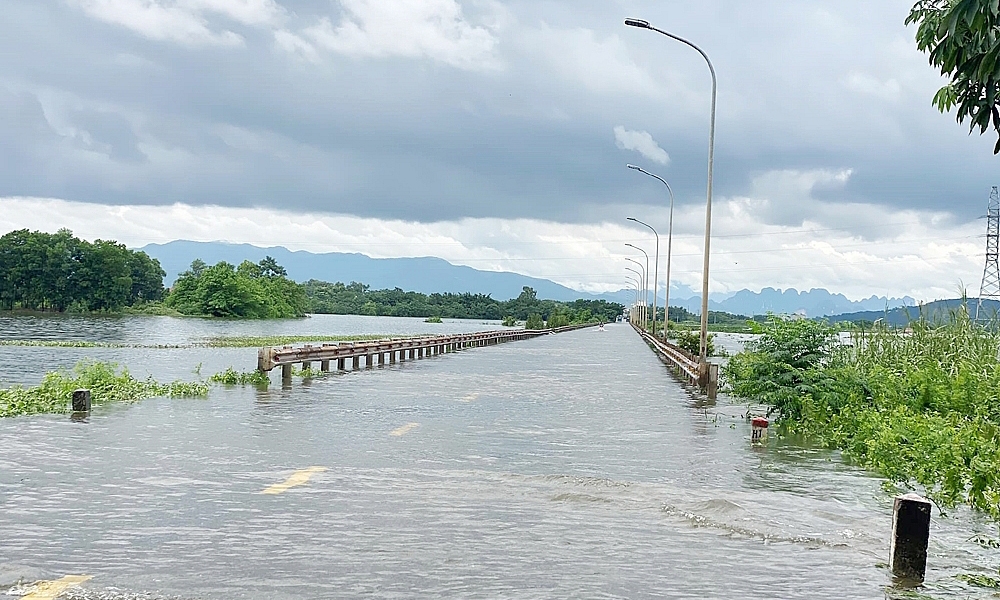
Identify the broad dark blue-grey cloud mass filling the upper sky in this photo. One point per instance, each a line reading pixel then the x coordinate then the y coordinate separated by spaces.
pixel 803 87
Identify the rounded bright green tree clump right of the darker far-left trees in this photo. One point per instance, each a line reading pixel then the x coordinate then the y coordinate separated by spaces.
pixel 249 291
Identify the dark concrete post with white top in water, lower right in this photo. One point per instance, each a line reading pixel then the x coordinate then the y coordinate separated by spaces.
pixel 911 522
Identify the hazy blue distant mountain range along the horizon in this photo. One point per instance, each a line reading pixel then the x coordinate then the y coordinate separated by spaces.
pixel 429 275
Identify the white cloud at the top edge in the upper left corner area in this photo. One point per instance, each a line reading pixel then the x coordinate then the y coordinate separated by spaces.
pixel 183 21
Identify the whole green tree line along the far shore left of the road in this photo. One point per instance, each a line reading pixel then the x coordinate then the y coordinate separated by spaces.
pixel 60 272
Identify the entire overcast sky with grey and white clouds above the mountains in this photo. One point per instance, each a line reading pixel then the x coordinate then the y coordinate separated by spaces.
pixel 495 134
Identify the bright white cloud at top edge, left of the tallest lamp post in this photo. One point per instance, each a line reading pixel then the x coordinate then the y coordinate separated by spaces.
pixel 435 29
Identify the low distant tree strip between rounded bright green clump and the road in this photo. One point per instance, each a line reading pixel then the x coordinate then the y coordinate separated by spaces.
pixel 358 299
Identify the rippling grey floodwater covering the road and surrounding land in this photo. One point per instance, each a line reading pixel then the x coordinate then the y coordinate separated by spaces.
pixel 571 465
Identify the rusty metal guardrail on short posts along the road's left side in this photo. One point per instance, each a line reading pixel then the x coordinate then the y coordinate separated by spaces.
pixel 375 352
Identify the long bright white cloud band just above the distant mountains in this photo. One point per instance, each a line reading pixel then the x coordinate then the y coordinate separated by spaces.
pixel 918 253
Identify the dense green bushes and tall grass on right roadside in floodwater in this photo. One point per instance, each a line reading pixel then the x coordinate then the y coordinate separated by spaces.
pixel 919 406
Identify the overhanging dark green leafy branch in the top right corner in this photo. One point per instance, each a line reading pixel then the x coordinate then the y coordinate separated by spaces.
pixel 962 39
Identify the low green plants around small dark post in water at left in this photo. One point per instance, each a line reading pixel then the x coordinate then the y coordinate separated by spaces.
pixel 106 381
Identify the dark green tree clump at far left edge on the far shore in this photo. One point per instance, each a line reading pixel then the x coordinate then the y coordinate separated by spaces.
pixel 57 271
